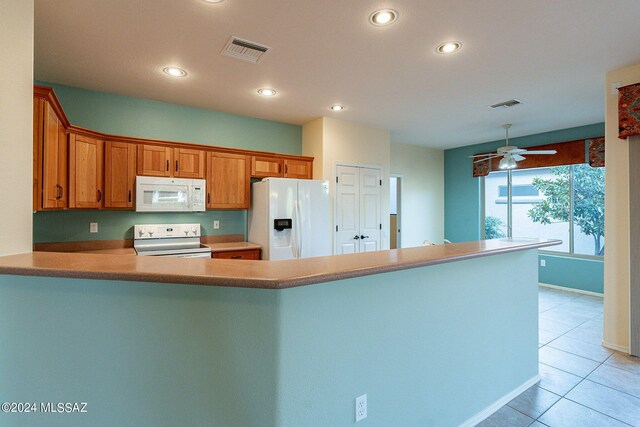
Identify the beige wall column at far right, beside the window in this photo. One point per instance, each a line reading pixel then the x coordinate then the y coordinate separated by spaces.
pixel 616 258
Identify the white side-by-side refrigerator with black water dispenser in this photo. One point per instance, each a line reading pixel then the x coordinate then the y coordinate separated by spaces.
pixel 289 218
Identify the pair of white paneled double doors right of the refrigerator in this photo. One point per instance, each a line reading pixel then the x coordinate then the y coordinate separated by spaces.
pixel 358 209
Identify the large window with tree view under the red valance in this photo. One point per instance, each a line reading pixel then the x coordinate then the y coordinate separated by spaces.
pixel 562 202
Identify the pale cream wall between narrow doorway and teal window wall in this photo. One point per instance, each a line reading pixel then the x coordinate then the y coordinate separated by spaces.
pixel 422 193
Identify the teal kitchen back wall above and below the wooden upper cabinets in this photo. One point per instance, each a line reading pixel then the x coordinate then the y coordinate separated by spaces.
pixel 123 115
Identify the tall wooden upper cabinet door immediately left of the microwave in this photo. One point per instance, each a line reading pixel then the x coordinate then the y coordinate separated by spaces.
pixel 119 174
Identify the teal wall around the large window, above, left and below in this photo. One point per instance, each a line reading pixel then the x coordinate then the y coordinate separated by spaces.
pixel 463 200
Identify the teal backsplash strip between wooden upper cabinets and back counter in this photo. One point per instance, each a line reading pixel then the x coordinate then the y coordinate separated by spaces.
pixel 73 225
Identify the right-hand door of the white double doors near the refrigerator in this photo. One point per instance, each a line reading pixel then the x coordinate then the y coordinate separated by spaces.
pixel 370 221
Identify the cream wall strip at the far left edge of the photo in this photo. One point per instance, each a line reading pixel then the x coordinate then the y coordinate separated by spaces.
pixel 16 125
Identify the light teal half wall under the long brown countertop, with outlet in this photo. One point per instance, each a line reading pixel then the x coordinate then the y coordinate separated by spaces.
pixel 419 342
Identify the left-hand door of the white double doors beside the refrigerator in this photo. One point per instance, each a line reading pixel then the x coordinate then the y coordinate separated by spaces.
pixel 347 210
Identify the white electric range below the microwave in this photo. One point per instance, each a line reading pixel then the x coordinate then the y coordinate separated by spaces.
pixel 171 240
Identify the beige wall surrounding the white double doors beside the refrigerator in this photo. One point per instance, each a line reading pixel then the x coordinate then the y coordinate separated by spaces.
pixel 340 141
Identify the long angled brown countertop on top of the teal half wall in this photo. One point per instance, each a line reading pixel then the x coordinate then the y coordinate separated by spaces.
pixel 253 274
